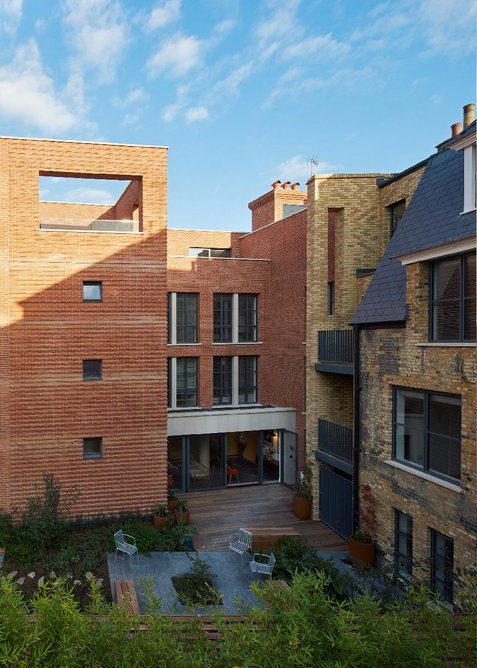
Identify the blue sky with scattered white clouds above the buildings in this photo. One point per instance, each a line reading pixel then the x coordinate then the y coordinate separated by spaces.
pixel 243 92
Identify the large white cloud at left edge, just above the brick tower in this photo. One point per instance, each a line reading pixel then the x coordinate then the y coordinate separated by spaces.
pixel 28 95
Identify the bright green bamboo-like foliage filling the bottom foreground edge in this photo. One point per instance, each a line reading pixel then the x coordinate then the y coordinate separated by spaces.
pixel 299 627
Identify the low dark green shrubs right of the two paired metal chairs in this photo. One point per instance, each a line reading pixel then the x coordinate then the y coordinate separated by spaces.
pixel 293 557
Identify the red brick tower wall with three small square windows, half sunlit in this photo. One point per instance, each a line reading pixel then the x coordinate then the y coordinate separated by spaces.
pixel 46 331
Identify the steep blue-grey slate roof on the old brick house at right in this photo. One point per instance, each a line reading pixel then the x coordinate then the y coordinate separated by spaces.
pixel 432 218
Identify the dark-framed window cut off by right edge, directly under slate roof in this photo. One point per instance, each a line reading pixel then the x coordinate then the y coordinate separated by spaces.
pixel 452 299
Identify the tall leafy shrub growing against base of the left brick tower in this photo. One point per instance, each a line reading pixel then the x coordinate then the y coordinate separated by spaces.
pixel 45 516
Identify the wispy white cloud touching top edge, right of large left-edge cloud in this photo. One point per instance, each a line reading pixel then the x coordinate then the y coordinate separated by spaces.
pixel 99 33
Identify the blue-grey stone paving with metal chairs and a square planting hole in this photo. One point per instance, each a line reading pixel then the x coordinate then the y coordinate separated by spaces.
pixel 229 578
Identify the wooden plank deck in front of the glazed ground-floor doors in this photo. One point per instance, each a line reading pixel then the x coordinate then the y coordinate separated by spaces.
pixel 218 513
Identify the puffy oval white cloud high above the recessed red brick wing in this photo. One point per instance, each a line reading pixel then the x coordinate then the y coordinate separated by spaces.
pixel 177 56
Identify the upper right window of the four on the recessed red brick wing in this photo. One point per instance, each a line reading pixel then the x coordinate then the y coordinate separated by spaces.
pixel 235 318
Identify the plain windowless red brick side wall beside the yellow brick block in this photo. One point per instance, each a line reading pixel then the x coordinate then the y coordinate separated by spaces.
pixel 284 243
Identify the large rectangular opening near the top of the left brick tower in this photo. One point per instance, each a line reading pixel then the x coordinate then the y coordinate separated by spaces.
pixel 89 204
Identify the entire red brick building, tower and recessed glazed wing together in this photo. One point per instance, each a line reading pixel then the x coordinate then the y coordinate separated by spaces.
pixel 124 345
